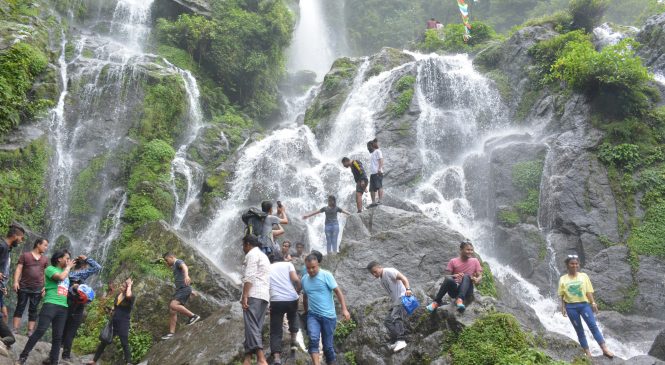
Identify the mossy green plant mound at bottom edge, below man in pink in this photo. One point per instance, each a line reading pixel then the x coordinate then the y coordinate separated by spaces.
pixel 496 339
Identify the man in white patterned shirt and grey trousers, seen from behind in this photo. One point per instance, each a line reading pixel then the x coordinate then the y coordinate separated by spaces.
pixel 255 298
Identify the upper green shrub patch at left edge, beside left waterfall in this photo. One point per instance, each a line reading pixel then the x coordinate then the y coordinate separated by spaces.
pixel 20 66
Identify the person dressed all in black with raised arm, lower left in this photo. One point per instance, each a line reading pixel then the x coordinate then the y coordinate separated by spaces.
pixel 122 313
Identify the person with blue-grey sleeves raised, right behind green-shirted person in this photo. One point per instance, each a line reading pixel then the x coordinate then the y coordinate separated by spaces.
pixel 84 268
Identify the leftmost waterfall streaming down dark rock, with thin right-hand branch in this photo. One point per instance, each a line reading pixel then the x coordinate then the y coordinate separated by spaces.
pixel 102 84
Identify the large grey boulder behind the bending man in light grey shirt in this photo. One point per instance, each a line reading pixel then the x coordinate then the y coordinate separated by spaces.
pixel 411 242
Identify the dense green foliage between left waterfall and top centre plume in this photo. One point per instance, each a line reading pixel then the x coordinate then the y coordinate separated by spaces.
pixel 240 48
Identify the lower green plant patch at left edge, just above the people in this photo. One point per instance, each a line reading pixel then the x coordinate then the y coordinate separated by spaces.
pixel 22 194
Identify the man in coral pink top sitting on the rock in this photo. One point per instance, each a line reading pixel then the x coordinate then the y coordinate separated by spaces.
pixel 462 273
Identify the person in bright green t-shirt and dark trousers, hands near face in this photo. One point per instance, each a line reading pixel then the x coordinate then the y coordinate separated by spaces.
pixel 54 310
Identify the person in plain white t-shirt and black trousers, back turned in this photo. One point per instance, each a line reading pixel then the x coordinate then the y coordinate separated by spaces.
pixel 284 289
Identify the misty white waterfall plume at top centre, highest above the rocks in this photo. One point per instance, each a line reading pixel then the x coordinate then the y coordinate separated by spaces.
pixel 311 48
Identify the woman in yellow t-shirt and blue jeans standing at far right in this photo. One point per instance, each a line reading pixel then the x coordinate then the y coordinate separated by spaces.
pixel 577 303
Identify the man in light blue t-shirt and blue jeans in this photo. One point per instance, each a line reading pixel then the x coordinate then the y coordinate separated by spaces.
pixel 318 286
